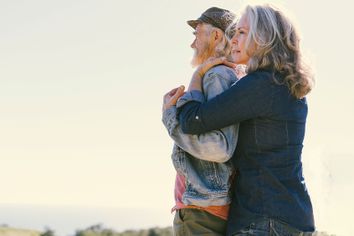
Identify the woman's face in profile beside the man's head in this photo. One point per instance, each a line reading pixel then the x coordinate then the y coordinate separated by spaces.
pixel 238 42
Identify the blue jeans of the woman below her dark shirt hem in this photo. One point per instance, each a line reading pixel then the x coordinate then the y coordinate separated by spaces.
pixel 270 227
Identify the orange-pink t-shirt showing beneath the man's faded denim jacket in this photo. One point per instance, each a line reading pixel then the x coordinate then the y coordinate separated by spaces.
pixel 180 188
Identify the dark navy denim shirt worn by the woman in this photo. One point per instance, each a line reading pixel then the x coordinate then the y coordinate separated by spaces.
pixel 269 181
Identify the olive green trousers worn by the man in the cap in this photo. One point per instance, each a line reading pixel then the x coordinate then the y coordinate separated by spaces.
pixel 190 222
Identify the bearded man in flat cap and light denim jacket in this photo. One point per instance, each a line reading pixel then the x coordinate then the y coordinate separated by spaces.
pixel 204 172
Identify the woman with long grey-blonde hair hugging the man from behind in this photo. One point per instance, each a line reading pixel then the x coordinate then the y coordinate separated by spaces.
pixel 270 196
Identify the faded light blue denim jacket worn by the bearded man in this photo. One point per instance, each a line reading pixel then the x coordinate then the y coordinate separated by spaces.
pixel 204 159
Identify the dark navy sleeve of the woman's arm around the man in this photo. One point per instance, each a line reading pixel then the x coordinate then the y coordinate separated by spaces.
pixel 250 97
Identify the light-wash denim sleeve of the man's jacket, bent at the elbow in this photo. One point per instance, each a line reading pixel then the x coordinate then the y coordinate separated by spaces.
pixel 216 145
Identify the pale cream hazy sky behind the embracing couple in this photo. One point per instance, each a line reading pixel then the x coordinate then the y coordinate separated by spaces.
pixel 81 86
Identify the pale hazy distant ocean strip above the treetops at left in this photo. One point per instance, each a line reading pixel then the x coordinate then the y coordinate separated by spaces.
pixel 66 220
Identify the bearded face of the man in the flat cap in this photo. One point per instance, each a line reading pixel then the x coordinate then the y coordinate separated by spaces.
pixel 201 45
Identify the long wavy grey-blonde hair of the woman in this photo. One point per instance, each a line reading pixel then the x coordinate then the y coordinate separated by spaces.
pixel 274 43
